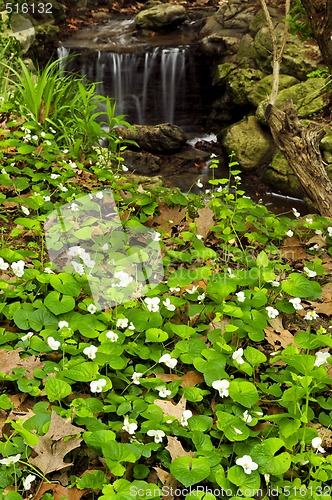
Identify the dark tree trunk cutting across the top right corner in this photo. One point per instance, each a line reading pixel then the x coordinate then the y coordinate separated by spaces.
pixel 320 17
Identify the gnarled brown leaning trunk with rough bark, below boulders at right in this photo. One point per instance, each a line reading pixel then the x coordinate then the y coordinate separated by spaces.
pixel 301 149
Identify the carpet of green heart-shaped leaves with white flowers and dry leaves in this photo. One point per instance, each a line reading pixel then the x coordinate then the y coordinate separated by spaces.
pixel 213 383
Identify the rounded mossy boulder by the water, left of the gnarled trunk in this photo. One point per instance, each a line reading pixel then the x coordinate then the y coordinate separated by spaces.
pixel 252 144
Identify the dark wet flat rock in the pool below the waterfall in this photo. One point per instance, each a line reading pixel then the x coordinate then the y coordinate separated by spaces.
pixel 162 138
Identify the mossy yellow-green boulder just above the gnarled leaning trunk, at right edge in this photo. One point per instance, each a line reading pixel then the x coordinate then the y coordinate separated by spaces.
pixel 309 98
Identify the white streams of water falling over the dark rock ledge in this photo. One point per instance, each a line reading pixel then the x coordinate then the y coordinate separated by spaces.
pixel 160 85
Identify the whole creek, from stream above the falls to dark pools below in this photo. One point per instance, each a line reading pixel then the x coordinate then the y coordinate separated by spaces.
pixel 156 78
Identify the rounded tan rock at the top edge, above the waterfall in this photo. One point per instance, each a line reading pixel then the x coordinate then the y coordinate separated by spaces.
pixel 160 16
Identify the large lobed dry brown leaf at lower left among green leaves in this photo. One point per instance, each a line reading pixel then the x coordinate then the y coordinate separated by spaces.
pixel 50 450
